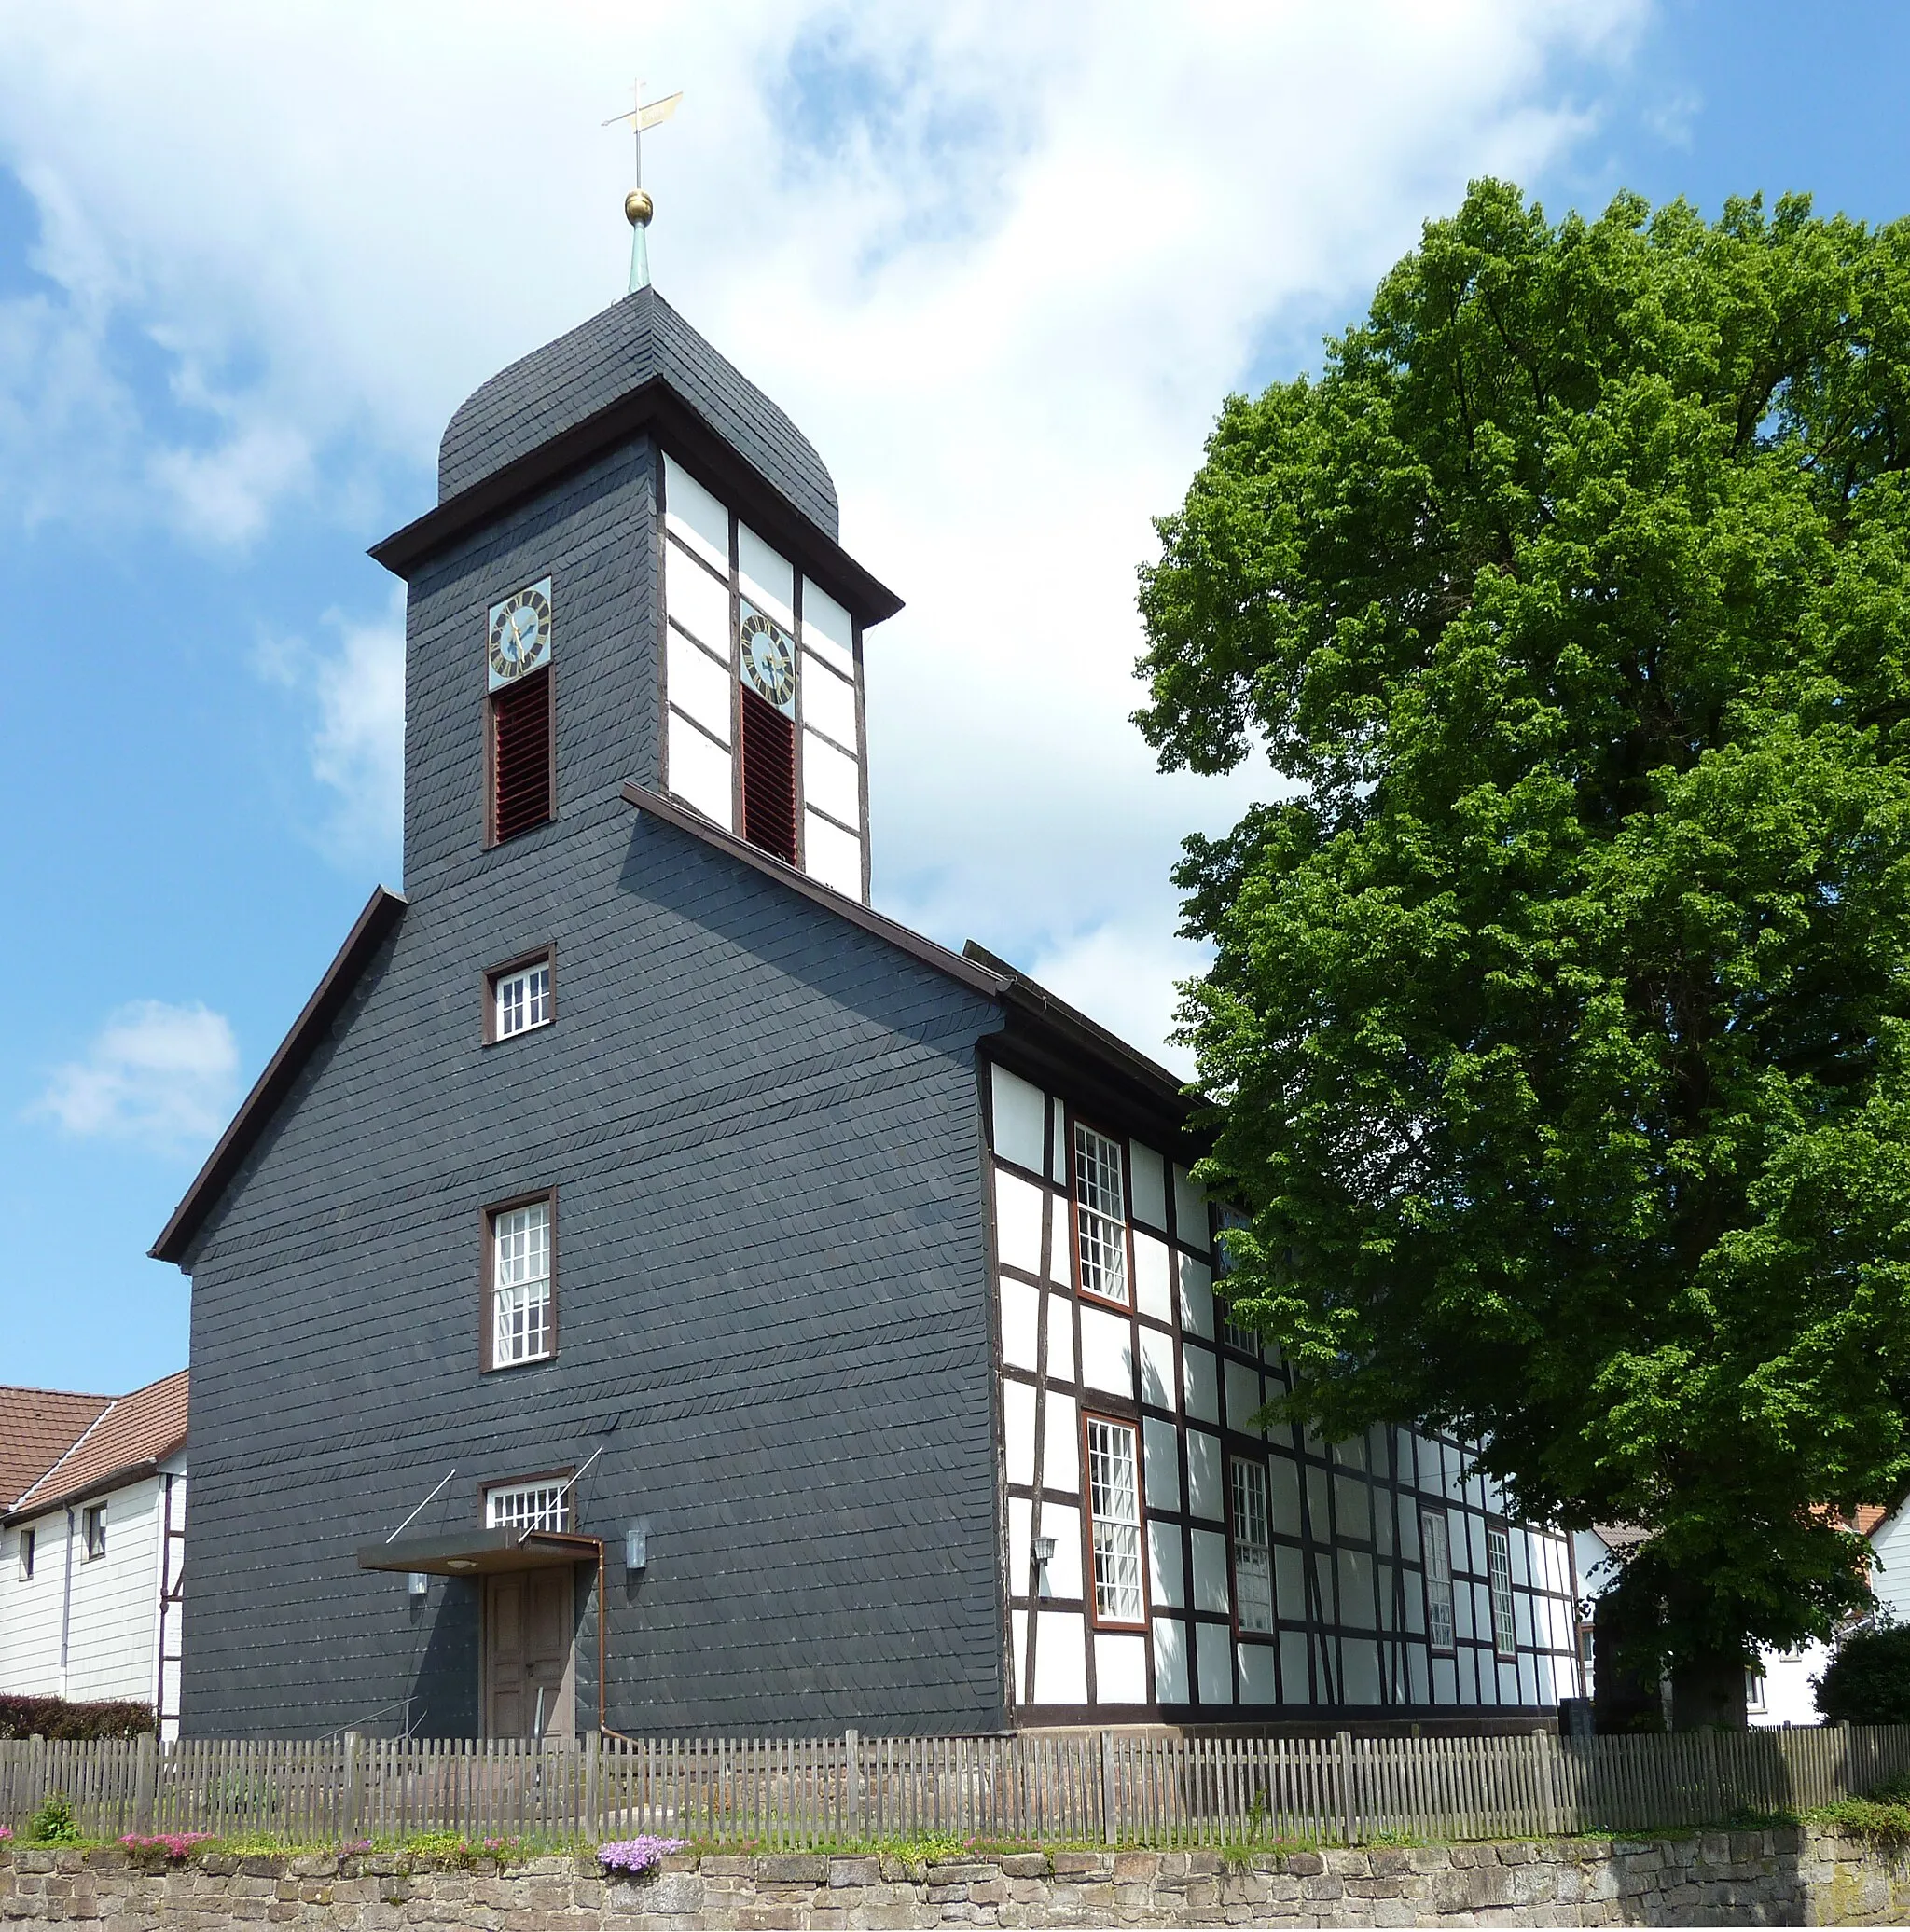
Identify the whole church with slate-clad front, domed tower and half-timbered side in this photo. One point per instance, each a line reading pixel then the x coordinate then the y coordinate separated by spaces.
pixel 651 1288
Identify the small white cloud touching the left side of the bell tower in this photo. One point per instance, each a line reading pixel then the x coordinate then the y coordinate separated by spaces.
pixel 357 745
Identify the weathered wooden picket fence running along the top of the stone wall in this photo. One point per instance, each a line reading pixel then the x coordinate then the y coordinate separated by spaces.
pixel 1043 1788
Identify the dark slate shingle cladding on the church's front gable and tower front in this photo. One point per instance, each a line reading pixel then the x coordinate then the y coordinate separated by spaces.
pixel 763 1127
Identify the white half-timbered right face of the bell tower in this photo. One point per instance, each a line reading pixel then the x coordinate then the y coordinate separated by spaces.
pixel 712 561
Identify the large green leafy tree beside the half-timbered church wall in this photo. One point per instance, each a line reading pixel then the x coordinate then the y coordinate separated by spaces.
pixel 1557 1023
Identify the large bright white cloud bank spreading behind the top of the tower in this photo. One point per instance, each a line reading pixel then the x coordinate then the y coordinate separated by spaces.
pixel 1000 262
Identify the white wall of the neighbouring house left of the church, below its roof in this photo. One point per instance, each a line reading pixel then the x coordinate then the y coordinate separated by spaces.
pixel 90 1628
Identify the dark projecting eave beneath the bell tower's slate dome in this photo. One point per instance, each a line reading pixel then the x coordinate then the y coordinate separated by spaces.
pixel 654 405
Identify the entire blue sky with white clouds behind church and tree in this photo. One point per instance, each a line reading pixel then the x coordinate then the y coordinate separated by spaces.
pixel 1000 297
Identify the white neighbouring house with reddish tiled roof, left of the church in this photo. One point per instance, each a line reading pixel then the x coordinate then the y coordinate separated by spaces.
pixel 92 1545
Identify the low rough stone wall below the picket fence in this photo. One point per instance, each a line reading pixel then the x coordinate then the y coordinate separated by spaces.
pixel 1706 1879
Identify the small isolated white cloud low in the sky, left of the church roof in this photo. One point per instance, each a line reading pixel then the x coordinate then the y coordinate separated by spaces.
pixel 156 1075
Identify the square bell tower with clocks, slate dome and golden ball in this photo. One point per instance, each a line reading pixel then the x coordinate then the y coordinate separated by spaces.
pixel 631 575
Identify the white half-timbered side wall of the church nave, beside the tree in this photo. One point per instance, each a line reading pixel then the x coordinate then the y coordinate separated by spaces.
pixel 1346 1521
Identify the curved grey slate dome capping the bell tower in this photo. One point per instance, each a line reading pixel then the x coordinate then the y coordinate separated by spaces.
pixel 616 353
